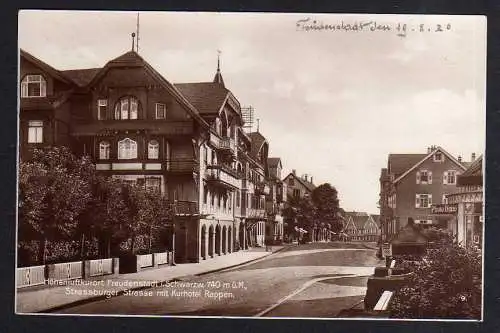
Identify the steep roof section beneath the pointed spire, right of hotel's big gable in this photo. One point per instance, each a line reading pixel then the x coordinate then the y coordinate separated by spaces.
pixel 206 97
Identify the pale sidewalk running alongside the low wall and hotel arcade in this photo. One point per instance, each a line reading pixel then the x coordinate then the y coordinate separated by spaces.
pixel 51 298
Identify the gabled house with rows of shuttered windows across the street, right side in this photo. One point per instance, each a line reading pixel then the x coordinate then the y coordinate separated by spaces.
pixel 414 186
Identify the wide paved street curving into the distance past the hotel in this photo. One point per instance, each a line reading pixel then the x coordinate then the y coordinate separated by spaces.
pixel 312 280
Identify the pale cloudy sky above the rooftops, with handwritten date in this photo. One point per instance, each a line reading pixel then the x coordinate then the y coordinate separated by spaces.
pixel 332 103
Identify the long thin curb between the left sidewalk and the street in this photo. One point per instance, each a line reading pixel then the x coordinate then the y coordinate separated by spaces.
pixel 121 292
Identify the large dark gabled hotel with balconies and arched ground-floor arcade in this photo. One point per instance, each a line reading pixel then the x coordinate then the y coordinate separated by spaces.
pixel 185 141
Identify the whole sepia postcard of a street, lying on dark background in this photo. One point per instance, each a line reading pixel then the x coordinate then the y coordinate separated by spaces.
pixel 251 165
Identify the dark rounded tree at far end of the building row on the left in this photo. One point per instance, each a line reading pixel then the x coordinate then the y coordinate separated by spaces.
pixel 326 202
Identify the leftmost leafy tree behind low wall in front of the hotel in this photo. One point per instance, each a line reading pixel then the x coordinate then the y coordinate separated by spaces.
pixel 53 191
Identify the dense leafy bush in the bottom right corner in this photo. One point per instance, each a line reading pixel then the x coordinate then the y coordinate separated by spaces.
pixel 446 284
